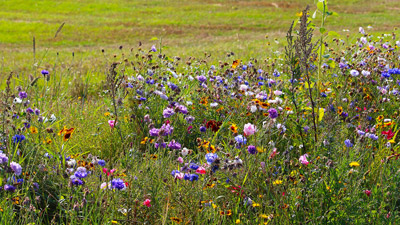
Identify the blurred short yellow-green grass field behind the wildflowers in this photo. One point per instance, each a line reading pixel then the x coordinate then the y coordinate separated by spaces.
pixel 185 27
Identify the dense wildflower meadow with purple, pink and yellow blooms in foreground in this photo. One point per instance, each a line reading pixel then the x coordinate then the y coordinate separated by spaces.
pixel 304 134
